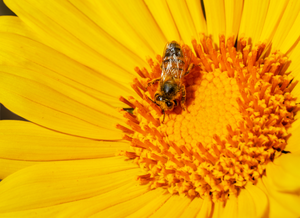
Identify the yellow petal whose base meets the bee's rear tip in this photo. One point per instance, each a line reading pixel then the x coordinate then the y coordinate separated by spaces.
pixel 162 15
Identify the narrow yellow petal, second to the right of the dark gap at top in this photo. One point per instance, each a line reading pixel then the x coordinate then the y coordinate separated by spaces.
pixel 233 15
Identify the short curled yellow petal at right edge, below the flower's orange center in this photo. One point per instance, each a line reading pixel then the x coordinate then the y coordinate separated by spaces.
pixel 283 180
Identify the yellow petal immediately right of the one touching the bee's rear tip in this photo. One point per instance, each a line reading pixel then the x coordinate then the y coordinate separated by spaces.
pixel 183 19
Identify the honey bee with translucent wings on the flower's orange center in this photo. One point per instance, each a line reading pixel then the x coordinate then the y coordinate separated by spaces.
pixel 171 83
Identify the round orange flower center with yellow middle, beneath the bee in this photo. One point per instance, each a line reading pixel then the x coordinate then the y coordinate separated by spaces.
pixel 239 107
